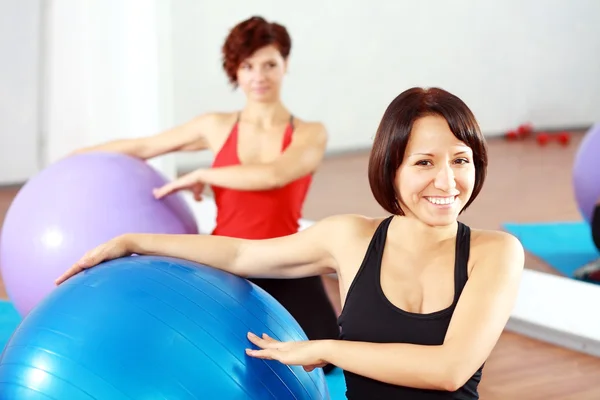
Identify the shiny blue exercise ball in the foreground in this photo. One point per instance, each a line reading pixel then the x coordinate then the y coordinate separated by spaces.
pixel 148 327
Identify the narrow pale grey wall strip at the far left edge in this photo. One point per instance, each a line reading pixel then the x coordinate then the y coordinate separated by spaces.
pixel 19 89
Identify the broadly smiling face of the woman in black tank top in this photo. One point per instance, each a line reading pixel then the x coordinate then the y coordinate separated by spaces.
pixel 437 174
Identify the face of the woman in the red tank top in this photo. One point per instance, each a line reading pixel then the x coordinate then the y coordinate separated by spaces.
pixel 260 76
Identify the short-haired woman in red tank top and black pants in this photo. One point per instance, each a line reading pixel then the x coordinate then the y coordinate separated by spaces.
pixel 263 165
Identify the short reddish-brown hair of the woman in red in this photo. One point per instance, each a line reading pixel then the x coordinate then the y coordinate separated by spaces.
pixel 247 37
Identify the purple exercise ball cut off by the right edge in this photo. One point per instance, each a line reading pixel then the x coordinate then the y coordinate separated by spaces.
pixel 586 172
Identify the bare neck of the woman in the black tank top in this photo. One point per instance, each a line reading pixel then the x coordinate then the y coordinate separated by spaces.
pixel 423 237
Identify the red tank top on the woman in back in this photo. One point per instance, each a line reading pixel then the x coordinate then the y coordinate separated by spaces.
pixel 261 214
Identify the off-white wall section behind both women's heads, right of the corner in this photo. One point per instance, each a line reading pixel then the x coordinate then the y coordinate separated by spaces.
pixel 511 61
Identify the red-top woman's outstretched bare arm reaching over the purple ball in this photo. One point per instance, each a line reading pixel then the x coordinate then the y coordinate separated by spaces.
pixel 186 137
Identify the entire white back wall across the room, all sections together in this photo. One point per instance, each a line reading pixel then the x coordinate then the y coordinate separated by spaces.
pixel 126 68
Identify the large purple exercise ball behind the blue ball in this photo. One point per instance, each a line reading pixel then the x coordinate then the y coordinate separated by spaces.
pixel 73 206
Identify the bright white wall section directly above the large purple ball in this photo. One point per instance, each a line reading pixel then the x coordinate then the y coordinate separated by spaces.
pixel 107 72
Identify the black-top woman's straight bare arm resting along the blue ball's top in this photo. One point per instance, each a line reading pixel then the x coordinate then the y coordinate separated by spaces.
pixel 306 253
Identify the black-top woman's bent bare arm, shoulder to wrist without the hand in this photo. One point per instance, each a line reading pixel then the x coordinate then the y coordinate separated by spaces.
pixel 480 316
